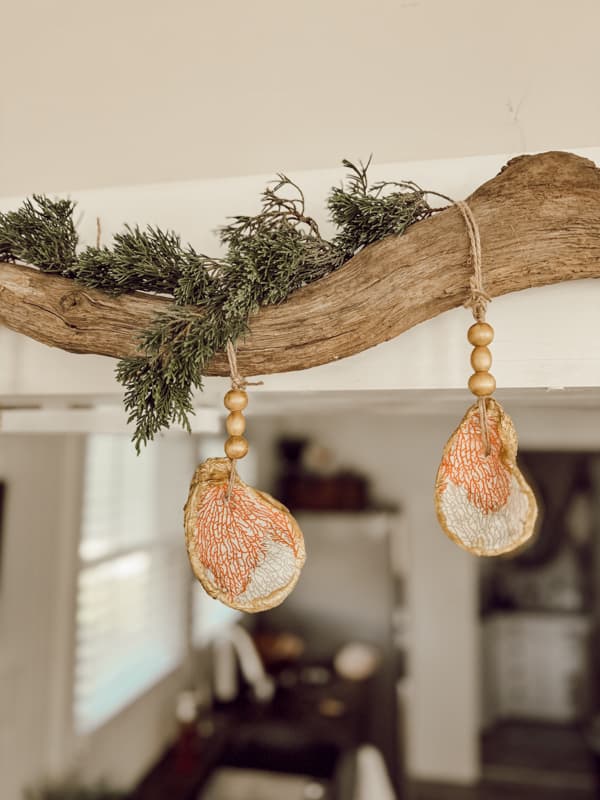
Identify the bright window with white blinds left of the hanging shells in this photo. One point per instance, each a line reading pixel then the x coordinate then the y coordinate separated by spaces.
pixel 131 611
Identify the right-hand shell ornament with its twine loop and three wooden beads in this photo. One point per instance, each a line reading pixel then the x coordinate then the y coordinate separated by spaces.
pixel 482 501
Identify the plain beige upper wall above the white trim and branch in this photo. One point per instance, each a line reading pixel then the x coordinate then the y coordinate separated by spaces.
pixel 101 94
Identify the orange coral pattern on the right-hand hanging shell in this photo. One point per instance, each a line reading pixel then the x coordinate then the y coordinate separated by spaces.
pixel 485 478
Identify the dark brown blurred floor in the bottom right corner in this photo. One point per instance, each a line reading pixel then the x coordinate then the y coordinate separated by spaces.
pixel 526 761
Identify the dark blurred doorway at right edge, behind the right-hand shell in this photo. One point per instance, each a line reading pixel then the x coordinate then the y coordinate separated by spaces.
pixel 540 614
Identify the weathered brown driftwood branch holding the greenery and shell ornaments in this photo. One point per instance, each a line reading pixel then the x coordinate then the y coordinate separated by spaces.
pixel 539 221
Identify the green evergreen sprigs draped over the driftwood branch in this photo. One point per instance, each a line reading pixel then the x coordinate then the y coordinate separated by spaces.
pixel 268 256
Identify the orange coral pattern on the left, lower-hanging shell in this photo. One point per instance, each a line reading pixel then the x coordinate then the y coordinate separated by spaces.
pixel 231 536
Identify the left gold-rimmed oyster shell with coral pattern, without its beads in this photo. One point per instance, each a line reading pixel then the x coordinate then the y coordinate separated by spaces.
pixel 245 547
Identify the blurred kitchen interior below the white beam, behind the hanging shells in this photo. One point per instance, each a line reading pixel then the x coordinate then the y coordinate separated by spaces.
pixel 400 667
